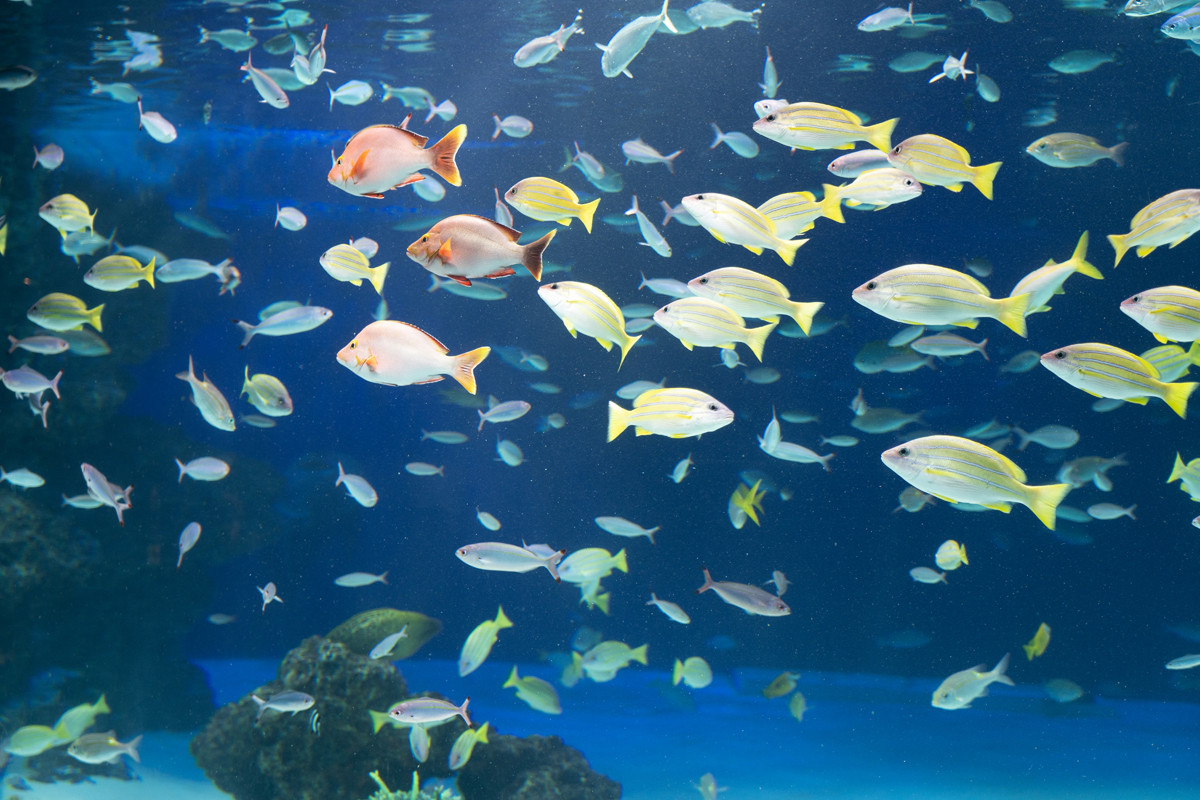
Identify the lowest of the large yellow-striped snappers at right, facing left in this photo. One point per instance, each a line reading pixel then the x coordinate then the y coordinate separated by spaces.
pixel 962 471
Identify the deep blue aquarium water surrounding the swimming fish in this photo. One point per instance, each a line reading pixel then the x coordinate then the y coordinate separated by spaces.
pixel 1112 592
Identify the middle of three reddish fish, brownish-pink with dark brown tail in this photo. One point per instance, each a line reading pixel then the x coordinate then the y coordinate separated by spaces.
pixel 466 246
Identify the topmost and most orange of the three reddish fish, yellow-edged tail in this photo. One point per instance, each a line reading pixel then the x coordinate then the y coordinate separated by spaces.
pixel 383 158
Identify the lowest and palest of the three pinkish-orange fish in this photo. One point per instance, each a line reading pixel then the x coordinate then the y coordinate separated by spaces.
pixel 398 354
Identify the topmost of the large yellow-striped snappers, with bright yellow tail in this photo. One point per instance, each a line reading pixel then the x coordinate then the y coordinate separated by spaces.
pixel 817 127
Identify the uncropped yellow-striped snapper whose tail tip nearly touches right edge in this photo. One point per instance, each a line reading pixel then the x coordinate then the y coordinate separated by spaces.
pixel 1107 371
